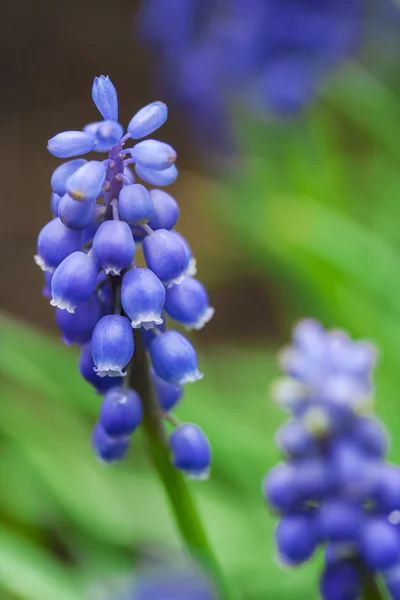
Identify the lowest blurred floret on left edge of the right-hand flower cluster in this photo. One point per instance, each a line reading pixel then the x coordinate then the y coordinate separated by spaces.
pixel 295 537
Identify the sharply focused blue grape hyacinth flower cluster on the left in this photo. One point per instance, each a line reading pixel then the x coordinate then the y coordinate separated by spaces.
pixel 101 217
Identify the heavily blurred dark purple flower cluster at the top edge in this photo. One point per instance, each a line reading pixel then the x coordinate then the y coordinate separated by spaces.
pixel 272 52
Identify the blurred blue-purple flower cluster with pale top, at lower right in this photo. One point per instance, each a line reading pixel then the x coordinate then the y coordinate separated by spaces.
pixel 335 487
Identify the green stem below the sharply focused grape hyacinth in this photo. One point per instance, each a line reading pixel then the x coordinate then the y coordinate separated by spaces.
pixel 181 502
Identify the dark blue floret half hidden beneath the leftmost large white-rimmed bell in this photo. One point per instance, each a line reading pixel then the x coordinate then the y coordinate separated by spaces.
pixel 77 327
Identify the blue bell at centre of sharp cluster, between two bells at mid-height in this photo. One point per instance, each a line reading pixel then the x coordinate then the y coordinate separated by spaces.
pixel 113 246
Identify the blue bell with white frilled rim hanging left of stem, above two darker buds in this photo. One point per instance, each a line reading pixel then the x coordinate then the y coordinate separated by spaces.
pixel 112 345
